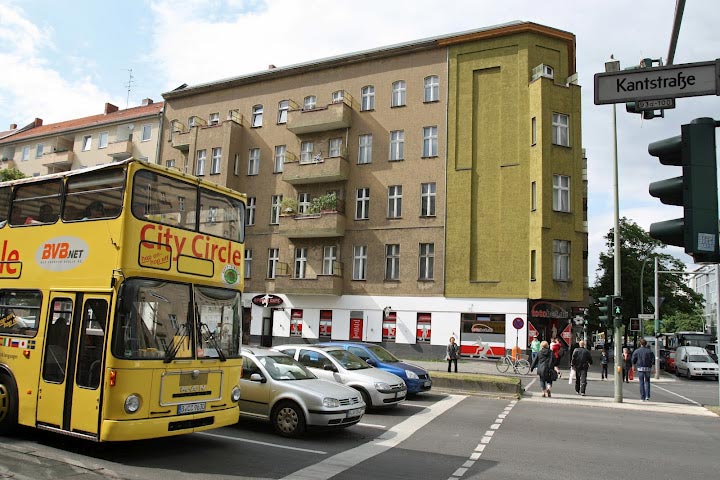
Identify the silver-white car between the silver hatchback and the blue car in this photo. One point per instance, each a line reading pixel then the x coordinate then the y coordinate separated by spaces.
pixel 377 387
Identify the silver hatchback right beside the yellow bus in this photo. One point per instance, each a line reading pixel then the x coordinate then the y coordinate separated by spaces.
pixel 276 388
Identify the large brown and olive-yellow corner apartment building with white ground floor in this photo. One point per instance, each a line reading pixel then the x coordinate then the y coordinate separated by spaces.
pixel 403 194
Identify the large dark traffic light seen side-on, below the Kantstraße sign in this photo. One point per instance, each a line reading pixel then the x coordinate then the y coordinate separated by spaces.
pixel 695 190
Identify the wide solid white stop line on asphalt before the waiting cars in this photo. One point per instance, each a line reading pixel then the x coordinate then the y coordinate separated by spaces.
pixel 337 464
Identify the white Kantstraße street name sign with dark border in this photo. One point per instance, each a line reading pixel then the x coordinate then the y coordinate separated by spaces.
pixel 674 81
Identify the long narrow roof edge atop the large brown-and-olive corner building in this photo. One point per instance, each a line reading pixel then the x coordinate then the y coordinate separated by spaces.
pixel 509 28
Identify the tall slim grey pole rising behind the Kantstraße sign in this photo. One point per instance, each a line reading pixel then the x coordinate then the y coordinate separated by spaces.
pixel 614 66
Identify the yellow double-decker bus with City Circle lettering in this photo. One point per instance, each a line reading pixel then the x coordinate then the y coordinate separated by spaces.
pixel 120 302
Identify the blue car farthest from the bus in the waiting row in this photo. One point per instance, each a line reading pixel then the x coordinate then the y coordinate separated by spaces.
pixel 416 378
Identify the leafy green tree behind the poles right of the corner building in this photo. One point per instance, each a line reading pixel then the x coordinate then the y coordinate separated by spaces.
pixel 638 248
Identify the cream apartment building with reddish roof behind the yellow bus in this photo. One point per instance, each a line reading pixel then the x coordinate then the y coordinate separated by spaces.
pixel 113 135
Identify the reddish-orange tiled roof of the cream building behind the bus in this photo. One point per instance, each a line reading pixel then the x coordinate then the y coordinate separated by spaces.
pixel 84 123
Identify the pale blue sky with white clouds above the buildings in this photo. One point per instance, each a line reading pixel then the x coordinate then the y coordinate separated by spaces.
pixel 65 60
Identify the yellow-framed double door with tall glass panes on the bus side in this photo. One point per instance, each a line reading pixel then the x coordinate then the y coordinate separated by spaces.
pixel 71 376
